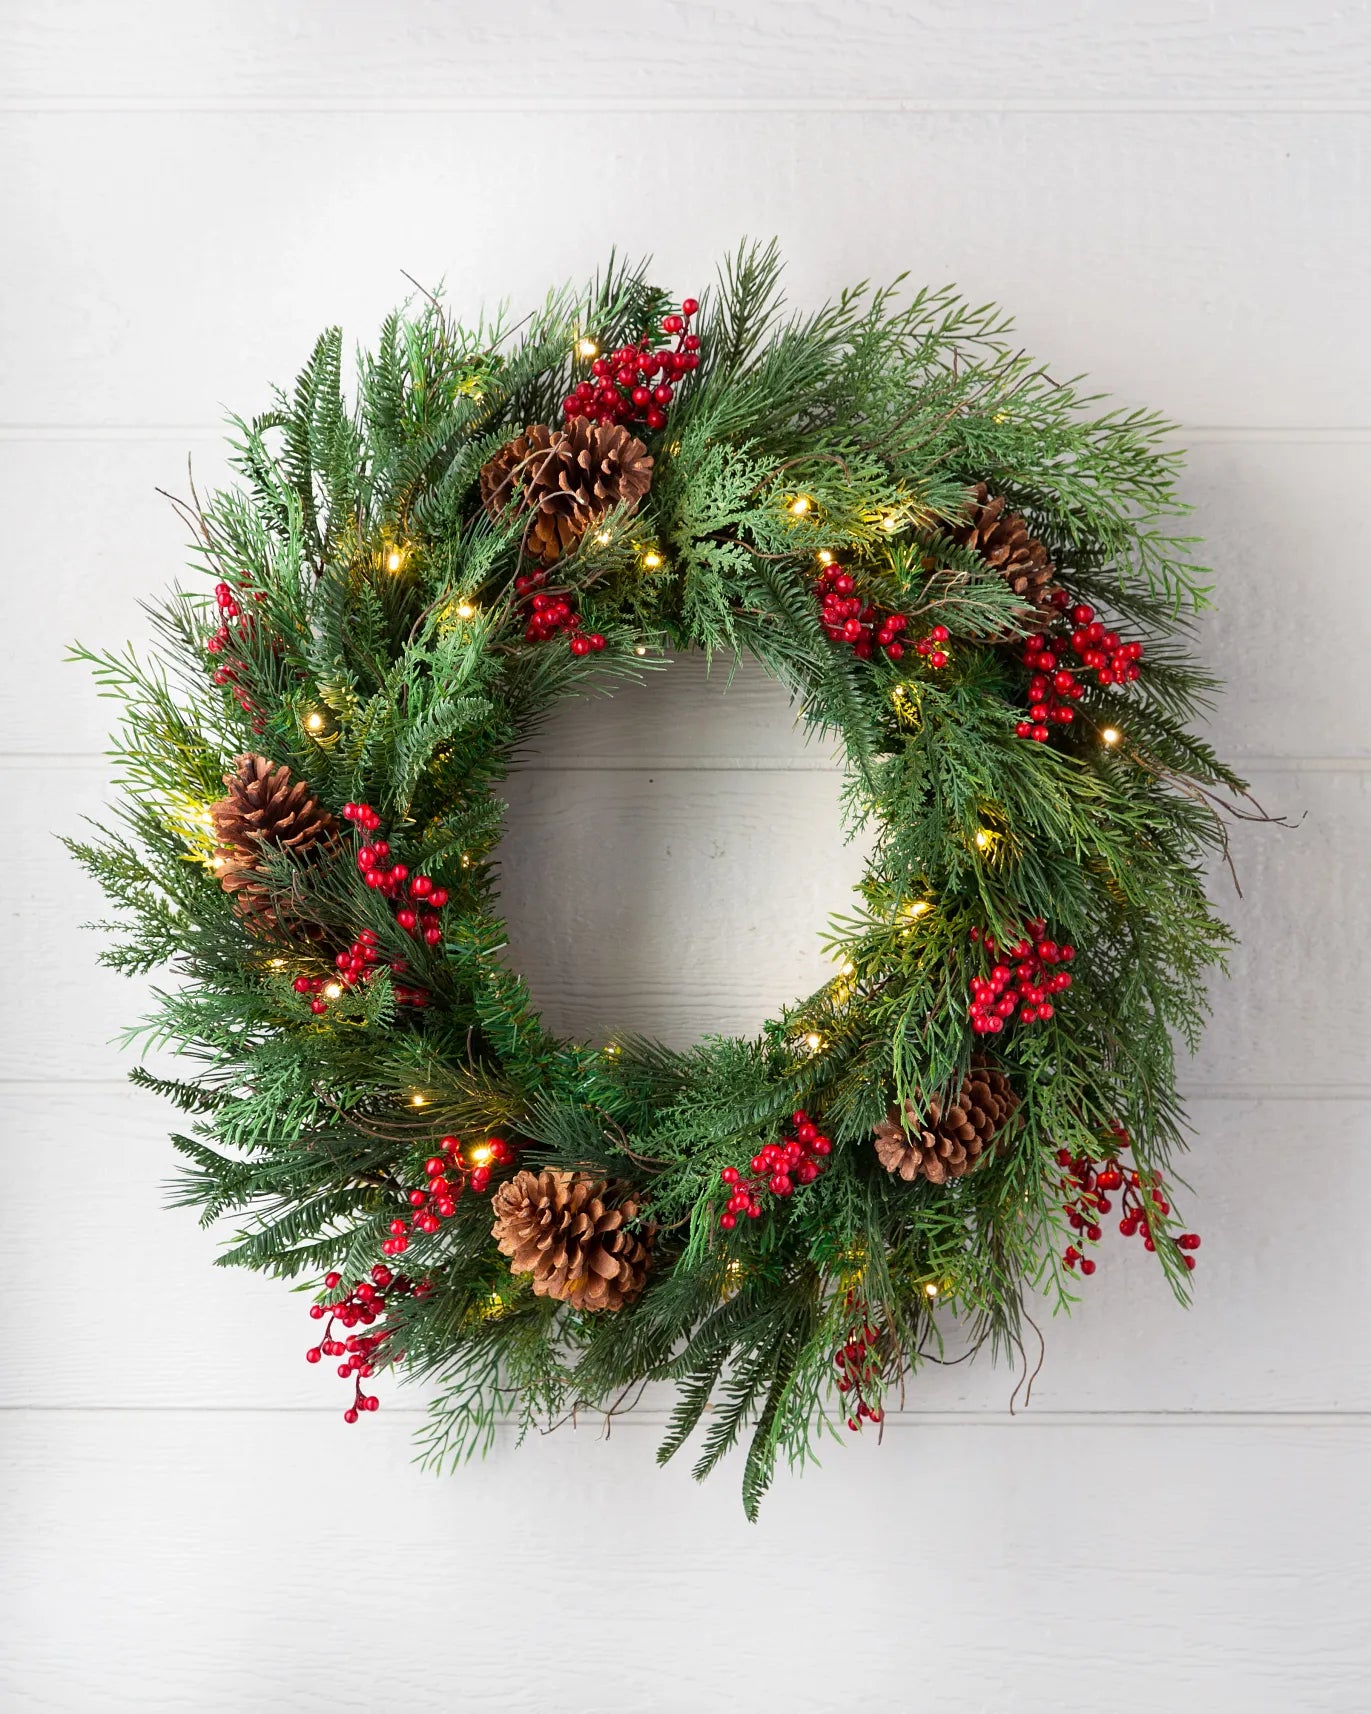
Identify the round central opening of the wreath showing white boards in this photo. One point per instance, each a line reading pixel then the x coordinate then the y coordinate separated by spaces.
pixel 673 856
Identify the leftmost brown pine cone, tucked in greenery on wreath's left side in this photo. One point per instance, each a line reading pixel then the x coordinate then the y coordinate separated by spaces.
pixel 265 808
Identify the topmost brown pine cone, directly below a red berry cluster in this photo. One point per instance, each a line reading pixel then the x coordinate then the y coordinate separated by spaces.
pixel 570 479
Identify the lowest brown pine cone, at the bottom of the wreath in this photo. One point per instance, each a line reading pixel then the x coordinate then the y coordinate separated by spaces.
pixel 561 1230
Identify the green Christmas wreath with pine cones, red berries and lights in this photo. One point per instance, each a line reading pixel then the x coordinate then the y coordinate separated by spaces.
pixel 961 575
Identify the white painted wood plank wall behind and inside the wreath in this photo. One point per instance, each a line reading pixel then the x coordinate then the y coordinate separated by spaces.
pixel 1171 196
